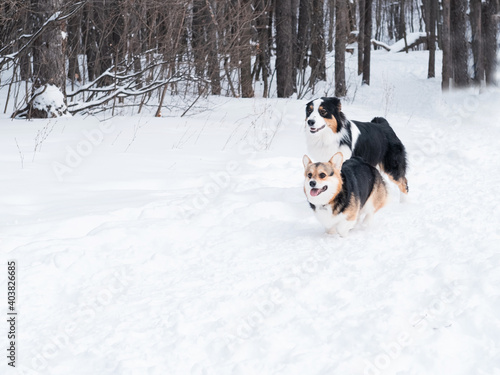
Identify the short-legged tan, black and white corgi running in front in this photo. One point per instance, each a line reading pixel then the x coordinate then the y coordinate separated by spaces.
pixel 342 194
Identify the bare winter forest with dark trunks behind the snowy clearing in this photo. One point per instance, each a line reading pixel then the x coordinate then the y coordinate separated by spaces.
pixel 100 54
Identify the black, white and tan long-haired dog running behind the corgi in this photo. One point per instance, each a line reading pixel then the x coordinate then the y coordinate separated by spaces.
pixel 329 132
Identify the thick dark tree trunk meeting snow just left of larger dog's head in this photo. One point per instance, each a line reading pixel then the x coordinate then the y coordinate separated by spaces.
pixel 284 44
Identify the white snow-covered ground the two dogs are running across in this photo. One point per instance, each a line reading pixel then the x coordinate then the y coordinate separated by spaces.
pixel 186 246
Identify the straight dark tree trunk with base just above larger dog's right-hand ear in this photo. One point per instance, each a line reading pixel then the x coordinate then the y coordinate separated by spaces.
pixel 341 27
